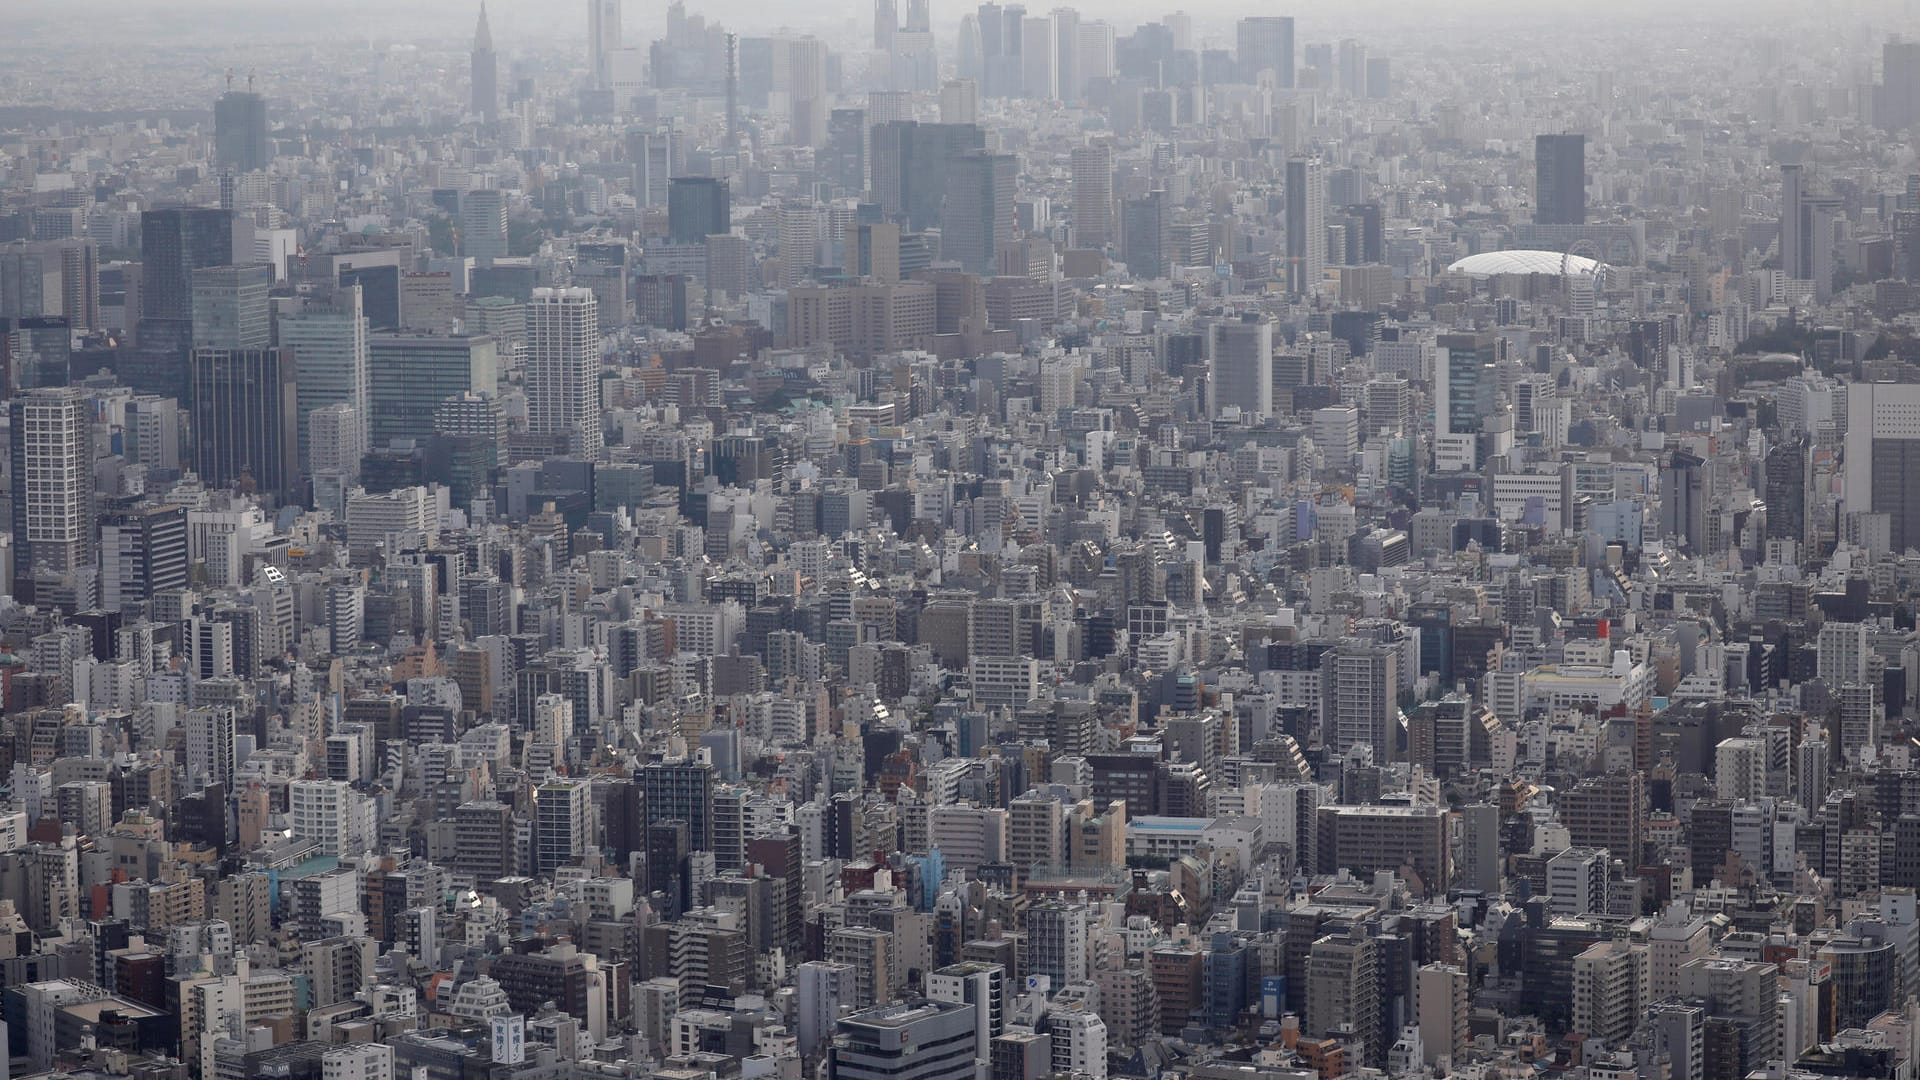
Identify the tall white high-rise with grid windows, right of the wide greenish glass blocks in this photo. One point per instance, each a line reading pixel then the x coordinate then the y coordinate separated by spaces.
pixel 564 366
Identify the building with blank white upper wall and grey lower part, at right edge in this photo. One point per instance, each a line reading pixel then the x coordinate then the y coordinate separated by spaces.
pixel 1884 456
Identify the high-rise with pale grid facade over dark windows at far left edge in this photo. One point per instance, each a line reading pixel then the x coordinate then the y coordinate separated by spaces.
pixel 53 453
